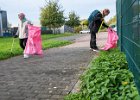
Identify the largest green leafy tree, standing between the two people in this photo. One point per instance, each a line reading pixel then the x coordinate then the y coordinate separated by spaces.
pixel 52 15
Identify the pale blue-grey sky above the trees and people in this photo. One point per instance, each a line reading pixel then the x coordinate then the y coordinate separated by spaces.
pixel 32 8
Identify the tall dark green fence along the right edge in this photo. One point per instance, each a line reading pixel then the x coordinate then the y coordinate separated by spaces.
pixel 128 28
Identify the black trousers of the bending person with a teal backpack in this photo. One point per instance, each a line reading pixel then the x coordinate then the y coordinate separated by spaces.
pixel 93 39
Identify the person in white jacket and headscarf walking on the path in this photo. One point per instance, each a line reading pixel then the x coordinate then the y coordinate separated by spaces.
pixel 22 31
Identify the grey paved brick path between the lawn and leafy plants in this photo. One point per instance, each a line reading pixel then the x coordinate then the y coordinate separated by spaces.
pixel 45 78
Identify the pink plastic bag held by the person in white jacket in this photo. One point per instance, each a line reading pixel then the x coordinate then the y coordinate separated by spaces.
pixel 34 42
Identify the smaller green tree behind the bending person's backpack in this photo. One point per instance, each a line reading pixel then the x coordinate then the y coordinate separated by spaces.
pixel 73 20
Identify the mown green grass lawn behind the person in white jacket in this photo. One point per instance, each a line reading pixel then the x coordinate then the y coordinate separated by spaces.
pixel 47 42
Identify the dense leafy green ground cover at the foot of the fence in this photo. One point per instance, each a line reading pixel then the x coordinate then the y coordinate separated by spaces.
pixel 108 78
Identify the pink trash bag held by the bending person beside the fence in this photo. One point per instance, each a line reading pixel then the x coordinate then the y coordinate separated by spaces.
pixel 111 41
